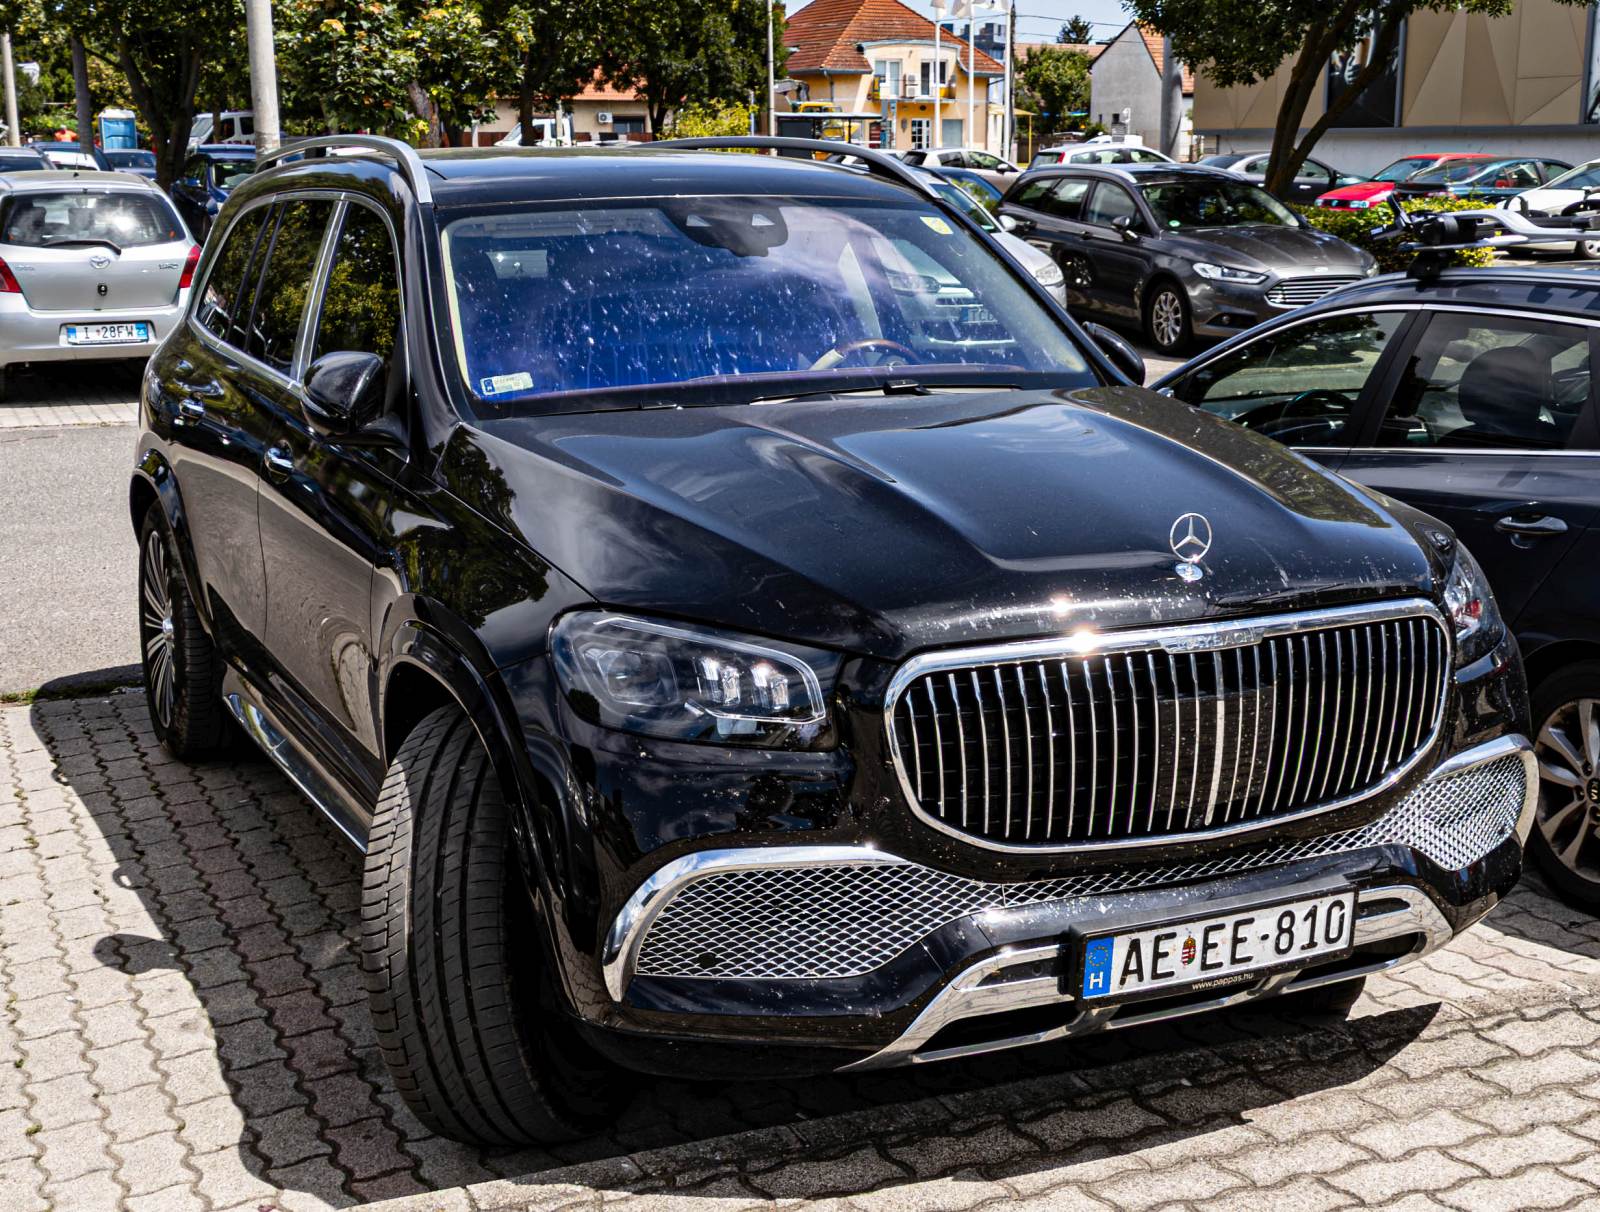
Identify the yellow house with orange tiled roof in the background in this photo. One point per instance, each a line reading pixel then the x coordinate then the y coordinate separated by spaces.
pixel 879 58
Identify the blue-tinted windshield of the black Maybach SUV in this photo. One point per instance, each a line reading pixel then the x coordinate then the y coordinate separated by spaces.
pixel 750 297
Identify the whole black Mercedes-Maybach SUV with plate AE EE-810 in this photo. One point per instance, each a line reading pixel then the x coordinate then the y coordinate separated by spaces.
pixel 751 631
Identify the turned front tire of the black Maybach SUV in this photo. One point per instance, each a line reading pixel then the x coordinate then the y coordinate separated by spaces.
pixel 454 973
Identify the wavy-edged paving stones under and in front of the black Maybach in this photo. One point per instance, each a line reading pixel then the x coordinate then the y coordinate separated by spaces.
pixel 185 1029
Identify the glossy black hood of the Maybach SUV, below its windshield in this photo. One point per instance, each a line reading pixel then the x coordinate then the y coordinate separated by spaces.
pixel 889 525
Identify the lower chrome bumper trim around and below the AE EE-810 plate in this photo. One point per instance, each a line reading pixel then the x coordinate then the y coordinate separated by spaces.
pixel 983 991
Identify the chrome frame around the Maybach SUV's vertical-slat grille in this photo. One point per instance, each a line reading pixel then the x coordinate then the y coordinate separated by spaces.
pixel 1178 639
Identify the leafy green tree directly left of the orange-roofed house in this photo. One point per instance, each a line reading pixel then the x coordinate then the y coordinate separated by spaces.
pixel 686 54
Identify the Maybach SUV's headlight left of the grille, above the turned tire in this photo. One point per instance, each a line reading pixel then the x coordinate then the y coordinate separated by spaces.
pixel 687 684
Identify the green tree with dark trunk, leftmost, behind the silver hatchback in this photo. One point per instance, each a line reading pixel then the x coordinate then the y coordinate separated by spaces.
pixel 161 47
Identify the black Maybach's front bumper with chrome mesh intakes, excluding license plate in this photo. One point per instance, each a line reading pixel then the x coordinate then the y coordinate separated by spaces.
pixel 828 957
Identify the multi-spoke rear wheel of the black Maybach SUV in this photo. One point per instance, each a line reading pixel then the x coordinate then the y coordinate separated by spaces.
pixel 183 671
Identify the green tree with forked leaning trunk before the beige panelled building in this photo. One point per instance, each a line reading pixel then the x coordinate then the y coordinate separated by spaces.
pixel 1244 42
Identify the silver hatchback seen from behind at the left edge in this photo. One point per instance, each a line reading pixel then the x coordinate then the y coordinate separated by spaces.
pixel 92 266
